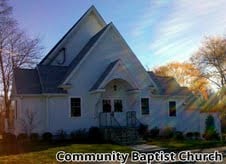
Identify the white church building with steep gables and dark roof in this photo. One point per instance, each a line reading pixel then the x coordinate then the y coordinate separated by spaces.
pixel 91 77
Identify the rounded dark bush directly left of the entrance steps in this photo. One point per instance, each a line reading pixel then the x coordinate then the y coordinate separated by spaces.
pixel 95 135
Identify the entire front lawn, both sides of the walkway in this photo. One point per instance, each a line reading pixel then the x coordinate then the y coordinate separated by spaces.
pixel 45 153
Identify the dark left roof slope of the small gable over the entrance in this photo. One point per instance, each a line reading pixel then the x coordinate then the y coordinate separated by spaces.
pixel 103 75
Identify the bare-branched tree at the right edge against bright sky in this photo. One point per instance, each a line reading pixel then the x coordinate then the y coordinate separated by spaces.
pixel 211 60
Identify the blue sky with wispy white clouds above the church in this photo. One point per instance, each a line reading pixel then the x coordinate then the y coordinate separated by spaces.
pixel 158 31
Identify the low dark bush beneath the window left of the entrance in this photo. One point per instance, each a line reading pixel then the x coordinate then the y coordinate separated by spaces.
pixel 79 136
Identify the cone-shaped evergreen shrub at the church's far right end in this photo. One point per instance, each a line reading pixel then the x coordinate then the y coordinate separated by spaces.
pixel 210 131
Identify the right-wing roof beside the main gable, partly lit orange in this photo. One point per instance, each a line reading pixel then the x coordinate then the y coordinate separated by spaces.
pixel 169 86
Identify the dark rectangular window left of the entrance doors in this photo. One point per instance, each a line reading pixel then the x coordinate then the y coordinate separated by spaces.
pixel 75 107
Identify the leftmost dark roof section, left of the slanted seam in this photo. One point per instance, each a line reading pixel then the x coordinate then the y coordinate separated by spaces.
pixel 27 81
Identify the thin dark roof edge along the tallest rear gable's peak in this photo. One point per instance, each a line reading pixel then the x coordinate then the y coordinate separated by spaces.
pixel 91 9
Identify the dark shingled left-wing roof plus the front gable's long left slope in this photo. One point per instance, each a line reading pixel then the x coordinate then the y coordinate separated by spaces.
pixel 47 78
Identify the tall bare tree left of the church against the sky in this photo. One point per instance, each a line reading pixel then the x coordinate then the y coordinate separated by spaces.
pixel 16 50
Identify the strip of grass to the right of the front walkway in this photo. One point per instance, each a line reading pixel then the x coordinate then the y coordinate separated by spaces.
pixel 178 145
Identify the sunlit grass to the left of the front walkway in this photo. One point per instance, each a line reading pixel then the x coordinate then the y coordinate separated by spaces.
pixel 44 153
